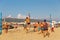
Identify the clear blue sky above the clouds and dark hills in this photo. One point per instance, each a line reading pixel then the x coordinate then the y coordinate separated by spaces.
pixel 37 8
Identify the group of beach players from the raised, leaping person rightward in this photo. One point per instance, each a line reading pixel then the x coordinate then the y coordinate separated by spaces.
pixel 41 27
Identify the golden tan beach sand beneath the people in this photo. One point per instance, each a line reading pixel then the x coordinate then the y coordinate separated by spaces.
pixel 20 34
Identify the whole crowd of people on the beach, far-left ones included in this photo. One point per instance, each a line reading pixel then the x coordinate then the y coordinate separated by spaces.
pixel 41 27
